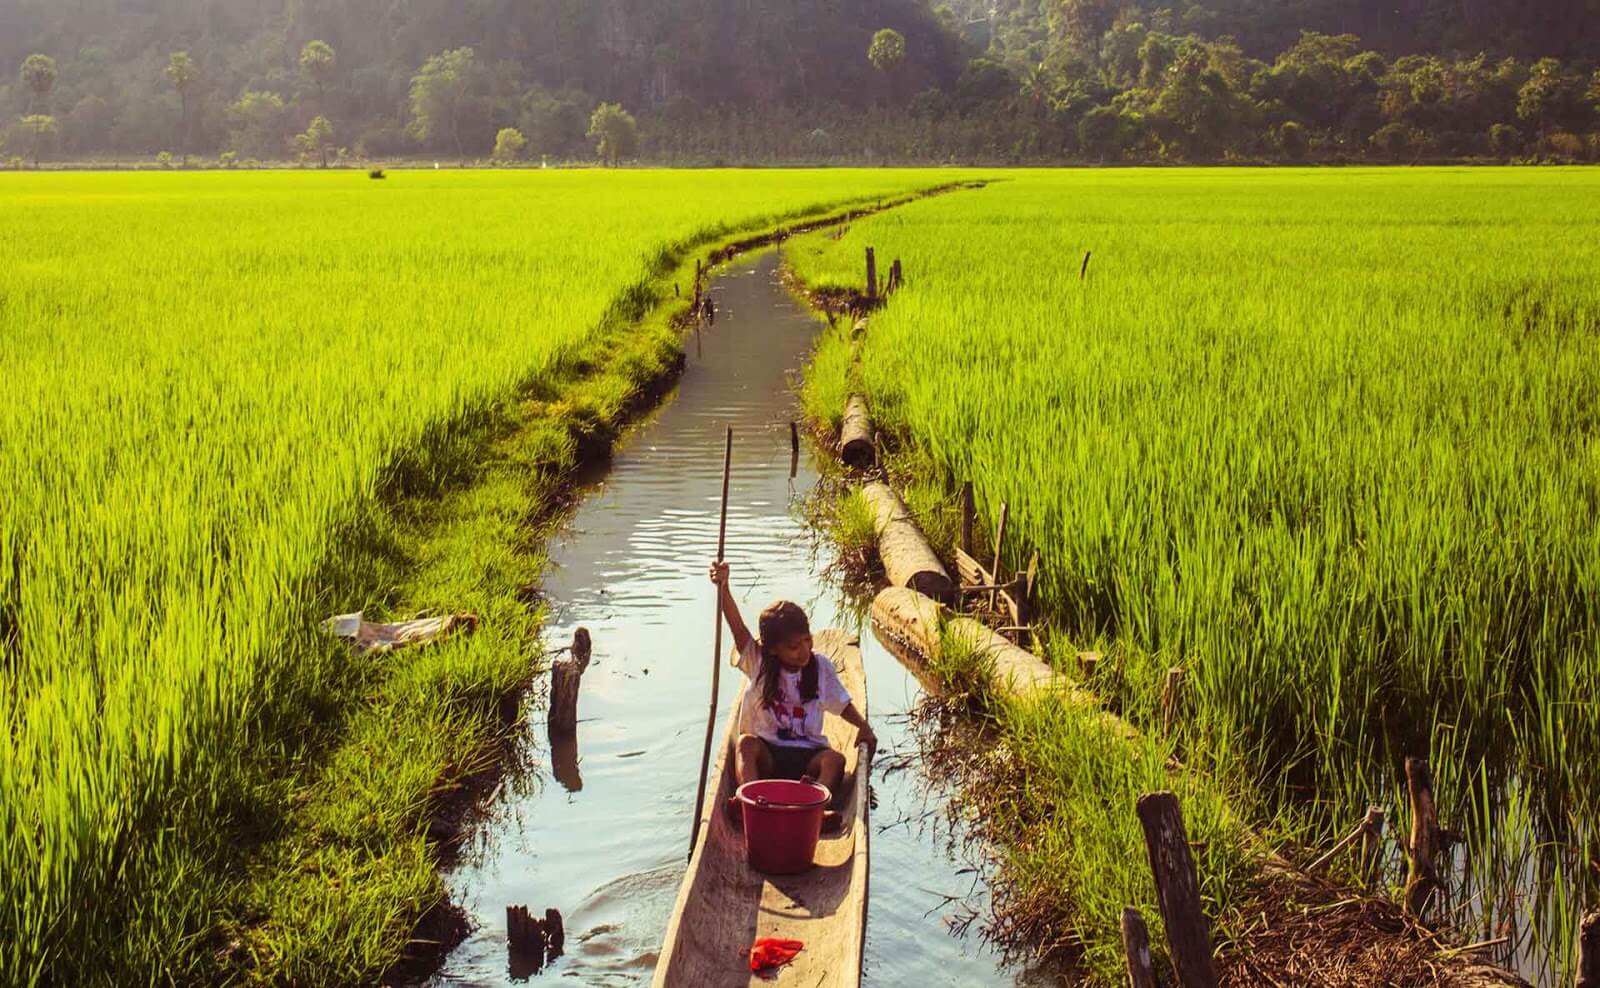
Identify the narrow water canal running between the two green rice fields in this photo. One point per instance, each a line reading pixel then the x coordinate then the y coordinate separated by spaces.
pixel 609 850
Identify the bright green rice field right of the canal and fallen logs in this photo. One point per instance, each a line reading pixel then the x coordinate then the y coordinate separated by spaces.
pixel 1327 440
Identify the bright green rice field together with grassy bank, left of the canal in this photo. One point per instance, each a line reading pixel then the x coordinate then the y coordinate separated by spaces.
pixel 199 786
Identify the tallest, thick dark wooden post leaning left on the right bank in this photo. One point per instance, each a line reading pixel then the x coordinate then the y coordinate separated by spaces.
pixel 1178 890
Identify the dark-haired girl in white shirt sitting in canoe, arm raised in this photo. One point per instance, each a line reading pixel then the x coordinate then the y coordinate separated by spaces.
pixel 791 687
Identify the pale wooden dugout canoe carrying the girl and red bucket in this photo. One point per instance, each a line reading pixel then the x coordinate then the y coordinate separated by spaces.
pixel 724 906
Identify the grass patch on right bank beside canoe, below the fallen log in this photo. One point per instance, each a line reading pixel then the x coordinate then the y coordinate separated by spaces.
pixel 1055 789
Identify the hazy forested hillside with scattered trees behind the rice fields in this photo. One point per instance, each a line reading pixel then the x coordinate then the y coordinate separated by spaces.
pixel 802 81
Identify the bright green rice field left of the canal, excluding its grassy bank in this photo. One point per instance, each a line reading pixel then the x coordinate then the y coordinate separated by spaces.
pixel 210 380
